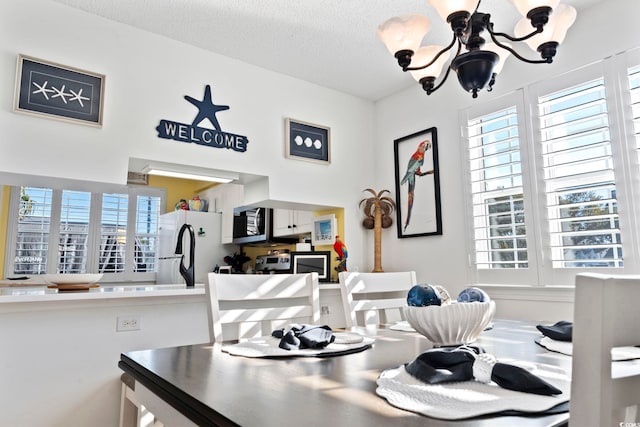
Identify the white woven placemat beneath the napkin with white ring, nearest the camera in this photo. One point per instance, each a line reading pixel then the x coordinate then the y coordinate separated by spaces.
pixel 466 399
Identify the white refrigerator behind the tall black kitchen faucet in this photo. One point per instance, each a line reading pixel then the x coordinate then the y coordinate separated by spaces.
pixel 208 252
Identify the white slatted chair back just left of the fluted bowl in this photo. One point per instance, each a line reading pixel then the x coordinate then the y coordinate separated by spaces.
pixel 368 298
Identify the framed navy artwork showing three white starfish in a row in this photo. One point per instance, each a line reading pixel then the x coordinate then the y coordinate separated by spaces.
pixel 57 91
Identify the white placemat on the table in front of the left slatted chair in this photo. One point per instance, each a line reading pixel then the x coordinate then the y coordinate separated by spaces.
pixel 346 342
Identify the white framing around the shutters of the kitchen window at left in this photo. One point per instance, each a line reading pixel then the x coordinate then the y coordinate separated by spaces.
pixel 95 224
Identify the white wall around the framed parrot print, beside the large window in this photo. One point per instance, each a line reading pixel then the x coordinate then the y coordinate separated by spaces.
pixel 607 29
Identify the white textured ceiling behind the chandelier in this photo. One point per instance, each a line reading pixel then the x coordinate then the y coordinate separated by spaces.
pixel 331 43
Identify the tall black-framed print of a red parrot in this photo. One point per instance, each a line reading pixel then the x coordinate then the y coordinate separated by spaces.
pixel 417 184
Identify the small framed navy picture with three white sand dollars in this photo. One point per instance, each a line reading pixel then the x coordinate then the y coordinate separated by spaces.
pixel 307 141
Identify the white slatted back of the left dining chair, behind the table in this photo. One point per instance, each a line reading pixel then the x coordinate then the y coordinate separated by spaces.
pixel 243 306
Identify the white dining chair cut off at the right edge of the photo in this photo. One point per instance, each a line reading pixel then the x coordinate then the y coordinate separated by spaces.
pixel 606 315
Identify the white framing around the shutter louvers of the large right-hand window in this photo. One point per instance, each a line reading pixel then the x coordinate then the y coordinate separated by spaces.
pixel 626 170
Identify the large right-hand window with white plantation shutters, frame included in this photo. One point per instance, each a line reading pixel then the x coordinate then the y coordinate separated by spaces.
pixel 554 177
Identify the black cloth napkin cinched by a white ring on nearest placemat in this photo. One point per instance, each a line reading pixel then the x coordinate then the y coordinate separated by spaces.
pixel 457 364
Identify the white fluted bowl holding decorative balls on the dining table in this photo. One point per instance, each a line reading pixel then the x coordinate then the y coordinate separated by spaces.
pixel 457 323
